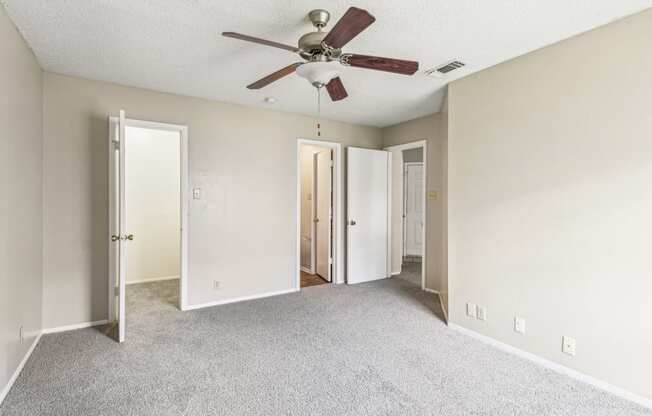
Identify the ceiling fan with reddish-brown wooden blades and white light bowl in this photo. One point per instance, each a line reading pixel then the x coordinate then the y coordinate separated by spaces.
pixel 322 52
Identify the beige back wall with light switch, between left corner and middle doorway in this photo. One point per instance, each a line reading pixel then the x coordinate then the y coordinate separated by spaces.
pixel 243 231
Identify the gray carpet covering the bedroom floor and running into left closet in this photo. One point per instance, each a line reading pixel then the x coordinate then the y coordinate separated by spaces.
pixel 370 349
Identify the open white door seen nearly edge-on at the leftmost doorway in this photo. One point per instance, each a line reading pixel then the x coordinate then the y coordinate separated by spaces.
pixel 117 224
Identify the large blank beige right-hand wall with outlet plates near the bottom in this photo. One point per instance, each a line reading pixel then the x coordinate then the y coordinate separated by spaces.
pixel 550 201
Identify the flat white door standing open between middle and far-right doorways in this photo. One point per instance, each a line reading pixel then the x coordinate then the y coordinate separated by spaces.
pixel 368 209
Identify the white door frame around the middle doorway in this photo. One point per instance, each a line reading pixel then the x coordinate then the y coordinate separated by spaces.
pixel 338 214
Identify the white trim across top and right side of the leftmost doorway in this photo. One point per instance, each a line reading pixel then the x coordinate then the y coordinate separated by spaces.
pixel 185 183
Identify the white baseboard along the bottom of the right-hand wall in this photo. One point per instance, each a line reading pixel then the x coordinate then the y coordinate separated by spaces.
pixel 602 385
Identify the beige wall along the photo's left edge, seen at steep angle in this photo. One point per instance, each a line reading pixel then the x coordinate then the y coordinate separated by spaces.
pixel 21 197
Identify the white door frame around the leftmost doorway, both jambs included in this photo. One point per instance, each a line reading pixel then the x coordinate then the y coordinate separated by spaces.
pixel 183 198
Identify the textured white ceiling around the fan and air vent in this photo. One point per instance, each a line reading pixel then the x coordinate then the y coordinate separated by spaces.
pixel 175 45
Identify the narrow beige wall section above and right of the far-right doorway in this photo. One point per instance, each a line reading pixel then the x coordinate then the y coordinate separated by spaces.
pixel 429 129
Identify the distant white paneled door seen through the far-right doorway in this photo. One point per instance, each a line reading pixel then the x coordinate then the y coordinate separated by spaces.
pixel 414 192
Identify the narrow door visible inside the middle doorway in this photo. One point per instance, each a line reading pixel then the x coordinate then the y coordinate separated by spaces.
pixel 324 213
